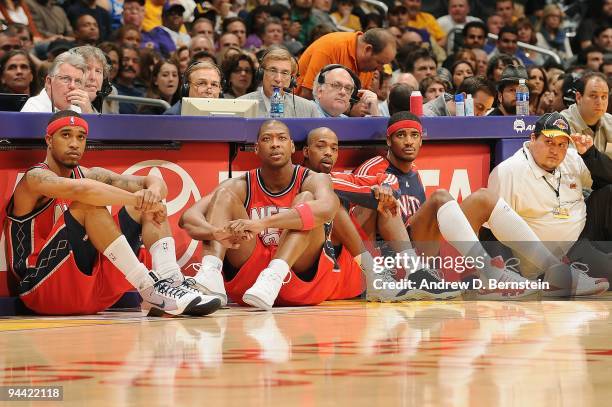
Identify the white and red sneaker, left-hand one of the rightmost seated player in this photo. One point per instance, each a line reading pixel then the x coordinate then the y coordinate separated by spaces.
pixel 504 272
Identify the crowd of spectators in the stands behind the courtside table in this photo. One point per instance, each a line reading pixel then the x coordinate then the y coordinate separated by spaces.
pixel 150 44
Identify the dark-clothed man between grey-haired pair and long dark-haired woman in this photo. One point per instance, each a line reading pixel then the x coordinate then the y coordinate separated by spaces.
pixel 128 80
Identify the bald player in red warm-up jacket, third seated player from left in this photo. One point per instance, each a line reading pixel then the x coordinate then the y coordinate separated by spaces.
pixel 374 195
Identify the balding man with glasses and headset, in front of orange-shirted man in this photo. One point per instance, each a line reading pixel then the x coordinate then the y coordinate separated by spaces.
pixel 333 90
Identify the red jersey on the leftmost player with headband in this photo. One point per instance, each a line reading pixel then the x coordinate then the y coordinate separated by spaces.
pixel 28 234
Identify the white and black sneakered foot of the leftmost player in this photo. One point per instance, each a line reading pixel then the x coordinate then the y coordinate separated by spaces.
pixel 162 298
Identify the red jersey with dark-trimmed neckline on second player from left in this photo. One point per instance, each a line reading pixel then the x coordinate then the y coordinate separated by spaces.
pixel 261 203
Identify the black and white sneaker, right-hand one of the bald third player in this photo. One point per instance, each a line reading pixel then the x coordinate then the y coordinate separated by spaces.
pixel 429 284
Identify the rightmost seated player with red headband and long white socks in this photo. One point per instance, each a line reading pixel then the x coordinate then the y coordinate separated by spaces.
pixel 441 216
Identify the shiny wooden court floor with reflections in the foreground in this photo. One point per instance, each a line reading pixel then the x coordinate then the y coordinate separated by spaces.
pixel 342 353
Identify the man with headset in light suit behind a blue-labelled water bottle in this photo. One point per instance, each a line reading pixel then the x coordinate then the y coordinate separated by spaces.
pixel 278 70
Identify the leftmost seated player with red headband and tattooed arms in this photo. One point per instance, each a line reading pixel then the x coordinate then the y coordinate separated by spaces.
pixel 58 227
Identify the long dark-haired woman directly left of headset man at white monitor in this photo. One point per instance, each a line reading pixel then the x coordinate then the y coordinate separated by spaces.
pixel 164 85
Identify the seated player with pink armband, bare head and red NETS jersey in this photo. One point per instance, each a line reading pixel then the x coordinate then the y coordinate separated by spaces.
pixel 268 230
